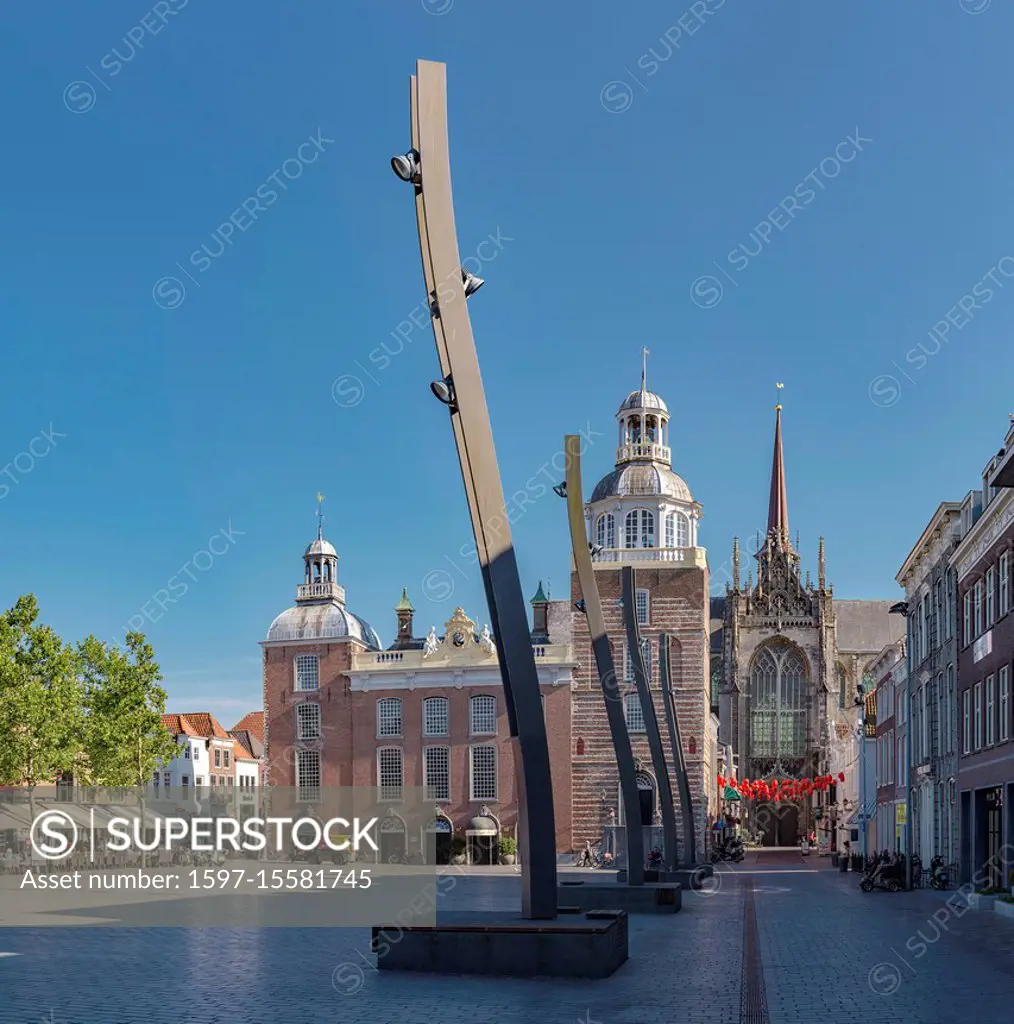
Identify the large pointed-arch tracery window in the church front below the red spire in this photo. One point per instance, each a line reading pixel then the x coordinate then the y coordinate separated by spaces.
pixel 778 694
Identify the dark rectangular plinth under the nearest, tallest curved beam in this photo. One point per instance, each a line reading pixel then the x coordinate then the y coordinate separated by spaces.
pixel 586 946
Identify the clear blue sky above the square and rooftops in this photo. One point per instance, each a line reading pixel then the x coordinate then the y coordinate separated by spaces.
pixel 181 421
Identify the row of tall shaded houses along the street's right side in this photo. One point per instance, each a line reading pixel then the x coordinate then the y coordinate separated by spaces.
pixel 941 735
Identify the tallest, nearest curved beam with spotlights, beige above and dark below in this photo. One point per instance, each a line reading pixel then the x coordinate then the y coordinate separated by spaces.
pixel 428 166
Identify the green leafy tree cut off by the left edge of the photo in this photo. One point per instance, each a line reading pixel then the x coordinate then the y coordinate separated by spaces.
pixel 41 724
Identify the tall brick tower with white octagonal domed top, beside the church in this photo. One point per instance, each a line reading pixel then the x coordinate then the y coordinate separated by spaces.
pixel 644 515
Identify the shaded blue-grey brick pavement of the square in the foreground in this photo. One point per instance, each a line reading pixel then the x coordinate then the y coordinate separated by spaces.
pixel 825 952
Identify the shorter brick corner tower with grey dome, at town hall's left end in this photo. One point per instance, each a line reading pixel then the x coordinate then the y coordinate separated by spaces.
pixel 308 655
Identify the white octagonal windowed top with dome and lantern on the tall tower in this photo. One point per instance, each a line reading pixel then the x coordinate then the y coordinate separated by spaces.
pixel 643 511
